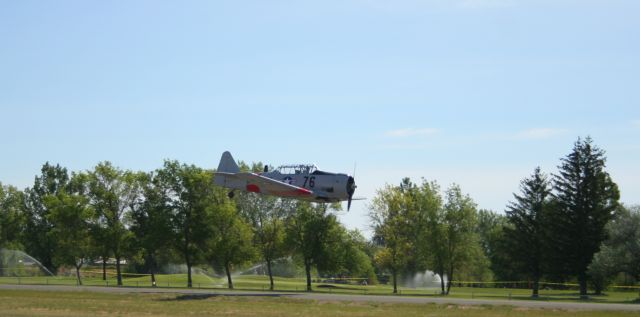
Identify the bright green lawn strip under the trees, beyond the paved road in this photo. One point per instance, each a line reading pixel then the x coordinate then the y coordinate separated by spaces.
pixel 253 282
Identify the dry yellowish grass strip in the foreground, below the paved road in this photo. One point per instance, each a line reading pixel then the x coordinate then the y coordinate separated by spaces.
pixel 42 303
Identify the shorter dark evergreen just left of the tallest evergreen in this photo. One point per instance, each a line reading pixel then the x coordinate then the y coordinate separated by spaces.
pixel 525 234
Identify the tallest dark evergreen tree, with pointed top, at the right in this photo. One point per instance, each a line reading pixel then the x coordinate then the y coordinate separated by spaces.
pixel 586 198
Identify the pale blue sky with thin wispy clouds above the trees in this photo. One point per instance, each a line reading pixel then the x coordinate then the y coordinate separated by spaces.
pixel 476 92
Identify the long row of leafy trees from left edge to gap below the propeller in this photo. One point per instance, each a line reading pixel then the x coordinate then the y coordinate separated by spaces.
pixel 174 214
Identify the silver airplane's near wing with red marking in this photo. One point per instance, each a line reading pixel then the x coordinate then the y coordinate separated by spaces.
pixel 259 184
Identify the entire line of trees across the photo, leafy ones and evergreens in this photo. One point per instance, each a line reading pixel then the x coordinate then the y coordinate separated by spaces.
pixel 565 227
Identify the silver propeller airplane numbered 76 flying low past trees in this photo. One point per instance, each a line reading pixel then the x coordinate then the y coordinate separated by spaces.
pixel 303 181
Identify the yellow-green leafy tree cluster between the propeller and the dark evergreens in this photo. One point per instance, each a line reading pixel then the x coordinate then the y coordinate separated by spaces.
pixel 417 231
